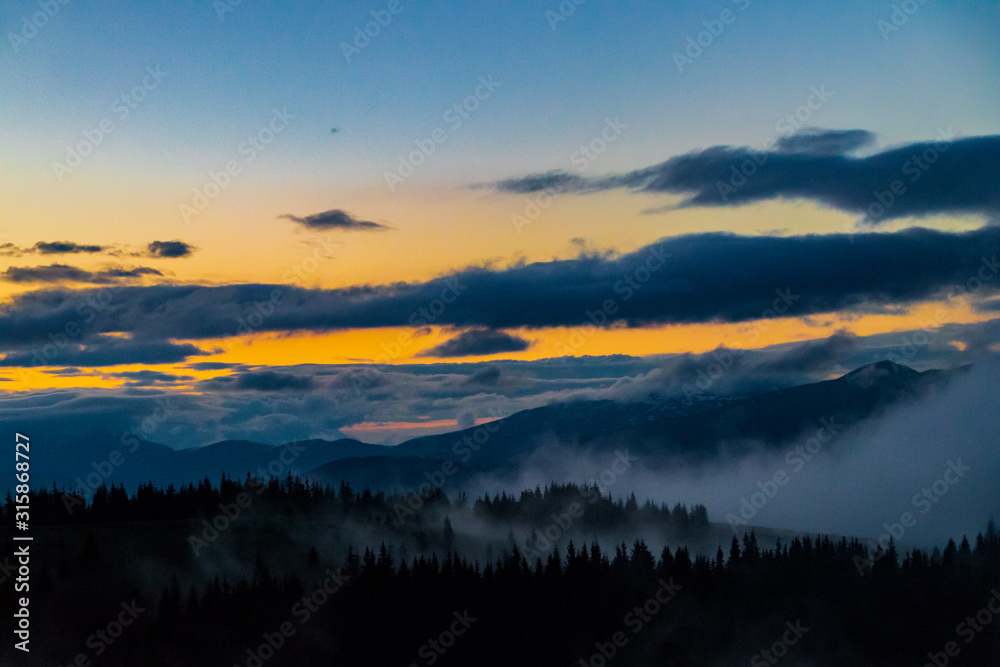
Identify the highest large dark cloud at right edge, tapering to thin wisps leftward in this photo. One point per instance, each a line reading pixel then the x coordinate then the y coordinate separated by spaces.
pixel 947 177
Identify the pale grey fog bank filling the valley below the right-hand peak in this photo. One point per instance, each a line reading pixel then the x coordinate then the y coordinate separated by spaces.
pixel 936 458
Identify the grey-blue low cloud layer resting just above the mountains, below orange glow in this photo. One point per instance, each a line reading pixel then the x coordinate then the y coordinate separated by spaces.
pixel 276 404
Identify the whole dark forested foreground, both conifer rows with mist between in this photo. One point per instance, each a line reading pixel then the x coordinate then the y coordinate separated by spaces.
pixel 268 600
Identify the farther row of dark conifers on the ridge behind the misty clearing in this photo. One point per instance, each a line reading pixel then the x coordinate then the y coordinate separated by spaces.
pixel 293 495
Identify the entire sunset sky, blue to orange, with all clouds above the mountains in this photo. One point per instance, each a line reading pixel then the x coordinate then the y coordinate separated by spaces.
pixel 407 216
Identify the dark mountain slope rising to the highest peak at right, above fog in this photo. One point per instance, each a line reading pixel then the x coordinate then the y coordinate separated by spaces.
pixel 674 426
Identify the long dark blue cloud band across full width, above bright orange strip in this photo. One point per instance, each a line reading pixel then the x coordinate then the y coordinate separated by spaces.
pixel 687 279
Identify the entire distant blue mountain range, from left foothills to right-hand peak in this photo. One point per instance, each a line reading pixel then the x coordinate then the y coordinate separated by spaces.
pixel 659 429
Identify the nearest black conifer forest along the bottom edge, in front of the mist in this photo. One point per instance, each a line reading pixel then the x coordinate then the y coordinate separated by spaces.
pixel 585 604
